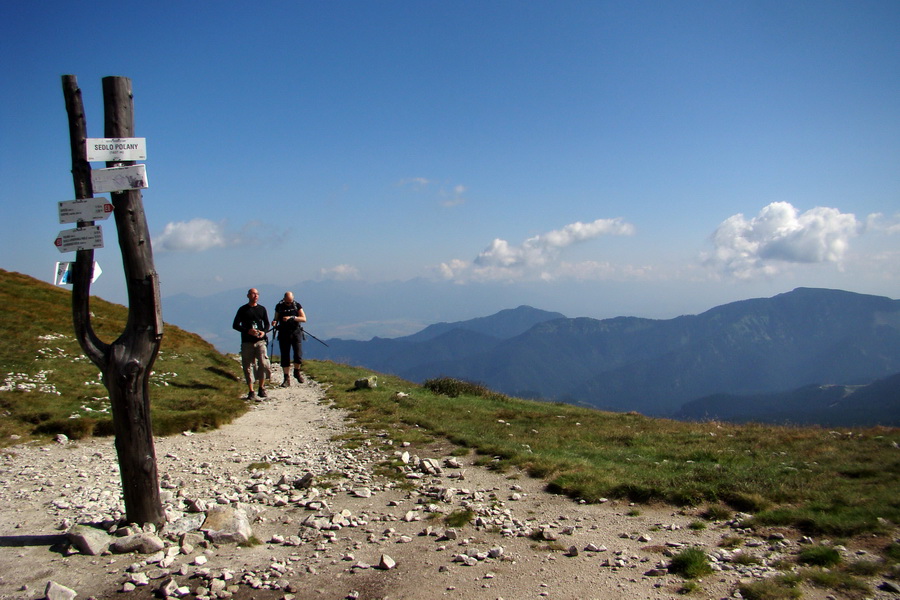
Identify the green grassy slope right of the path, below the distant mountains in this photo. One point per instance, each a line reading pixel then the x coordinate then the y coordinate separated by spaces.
pixel 810 478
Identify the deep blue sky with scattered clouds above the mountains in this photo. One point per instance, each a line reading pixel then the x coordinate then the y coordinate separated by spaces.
pixel 645 158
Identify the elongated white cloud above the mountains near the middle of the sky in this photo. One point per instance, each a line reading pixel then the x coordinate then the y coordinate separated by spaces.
pixel 537 257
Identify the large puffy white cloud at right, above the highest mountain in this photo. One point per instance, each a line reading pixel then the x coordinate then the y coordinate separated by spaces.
pixel 779 235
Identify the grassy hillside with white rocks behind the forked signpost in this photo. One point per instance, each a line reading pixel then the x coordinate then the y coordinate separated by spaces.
pixel 193 386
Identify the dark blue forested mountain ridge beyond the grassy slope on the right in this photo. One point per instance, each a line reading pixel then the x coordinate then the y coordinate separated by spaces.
pixel 759 346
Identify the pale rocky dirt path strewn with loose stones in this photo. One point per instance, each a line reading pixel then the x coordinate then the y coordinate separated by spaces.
pixel 346 533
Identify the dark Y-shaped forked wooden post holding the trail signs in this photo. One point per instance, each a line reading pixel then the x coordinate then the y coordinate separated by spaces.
pixel 126 363
